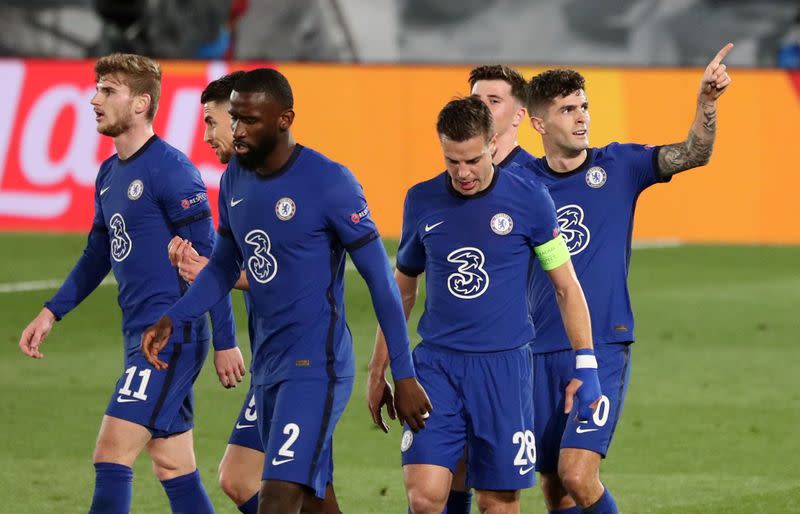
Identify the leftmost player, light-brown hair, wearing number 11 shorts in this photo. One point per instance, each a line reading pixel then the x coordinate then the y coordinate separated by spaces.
pixel 144 194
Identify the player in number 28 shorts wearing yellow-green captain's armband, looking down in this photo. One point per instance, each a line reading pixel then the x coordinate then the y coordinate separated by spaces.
pixel 473 231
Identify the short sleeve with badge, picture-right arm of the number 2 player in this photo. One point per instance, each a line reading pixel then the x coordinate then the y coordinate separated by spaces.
pixel 347 212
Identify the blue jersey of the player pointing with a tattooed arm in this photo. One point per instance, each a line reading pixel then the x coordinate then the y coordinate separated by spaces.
pixel 595 205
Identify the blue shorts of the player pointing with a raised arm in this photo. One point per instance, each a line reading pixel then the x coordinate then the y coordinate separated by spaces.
pixel 555 430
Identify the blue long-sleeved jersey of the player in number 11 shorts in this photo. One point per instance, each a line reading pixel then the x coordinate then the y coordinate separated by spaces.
pixel 140 204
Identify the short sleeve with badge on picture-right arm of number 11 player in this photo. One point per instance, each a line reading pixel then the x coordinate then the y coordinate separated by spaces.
pixel 183 195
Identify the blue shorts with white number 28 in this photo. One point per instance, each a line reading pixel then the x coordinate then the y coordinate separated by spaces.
pixel 481 403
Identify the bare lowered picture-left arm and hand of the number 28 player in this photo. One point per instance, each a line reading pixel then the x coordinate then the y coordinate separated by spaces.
pixel 379 392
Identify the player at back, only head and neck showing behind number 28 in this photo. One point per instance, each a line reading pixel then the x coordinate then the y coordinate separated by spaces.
pixel 505 92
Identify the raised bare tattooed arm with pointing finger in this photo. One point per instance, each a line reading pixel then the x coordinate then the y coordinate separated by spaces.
pixel 696 149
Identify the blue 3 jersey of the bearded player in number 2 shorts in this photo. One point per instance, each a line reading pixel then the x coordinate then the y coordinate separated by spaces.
pixel 291 230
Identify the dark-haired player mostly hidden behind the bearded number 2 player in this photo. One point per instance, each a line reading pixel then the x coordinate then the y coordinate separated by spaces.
pixel 241 466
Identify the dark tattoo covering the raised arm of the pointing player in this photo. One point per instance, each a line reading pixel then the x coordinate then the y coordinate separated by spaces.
pixel 696 150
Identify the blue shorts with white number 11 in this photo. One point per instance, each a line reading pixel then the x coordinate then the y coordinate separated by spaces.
pixel 161 401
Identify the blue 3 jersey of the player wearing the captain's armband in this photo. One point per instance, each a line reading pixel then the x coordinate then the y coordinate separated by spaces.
pixel 476 252
